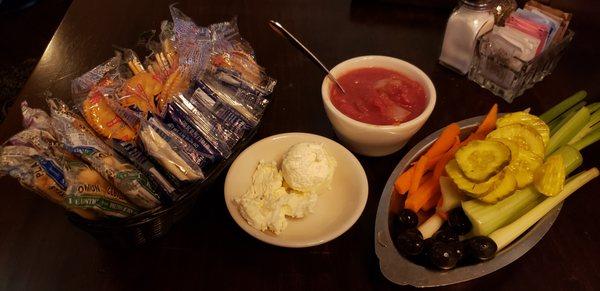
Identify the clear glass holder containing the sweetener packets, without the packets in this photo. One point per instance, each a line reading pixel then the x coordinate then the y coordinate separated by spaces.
pixel 509 77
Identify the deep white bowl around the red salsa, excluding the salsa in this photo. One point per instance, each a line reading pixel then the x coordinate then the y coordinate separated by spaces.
pixel 376 140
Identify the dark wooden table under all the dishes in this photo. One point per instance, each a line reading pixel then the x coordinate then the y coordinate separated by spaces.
pixel 41 250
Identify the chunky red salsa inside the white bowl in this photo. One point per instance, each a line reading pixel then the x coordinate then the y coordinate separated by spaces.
pixel 379 96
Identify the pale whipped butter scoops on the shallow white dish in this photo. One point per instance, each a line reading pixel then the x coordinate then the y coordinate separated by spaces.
pixel 292 192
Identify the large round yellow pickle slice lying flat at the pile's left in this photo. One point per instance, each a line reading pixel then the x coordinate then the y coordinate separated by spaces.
pixel 481 159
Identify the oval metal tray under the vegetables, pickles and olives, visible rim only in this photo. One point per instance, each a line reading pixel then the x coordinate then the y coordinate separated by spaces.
pixel 401 271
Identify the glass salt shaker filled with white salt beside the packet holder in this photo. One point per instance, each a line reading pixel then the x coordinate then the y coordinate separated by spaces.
pixel 469 20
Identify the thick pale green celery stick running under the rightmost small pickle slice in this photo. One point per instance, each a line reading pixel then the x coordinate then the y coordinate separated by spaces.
pixel 486 218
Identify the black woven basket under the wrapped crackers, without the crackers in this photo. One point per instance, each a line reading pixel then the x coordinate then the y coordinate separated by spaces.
pixel 155 223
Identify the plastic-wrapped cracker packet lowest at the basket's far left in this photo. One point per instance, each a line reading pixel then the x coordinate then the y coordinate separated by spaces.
pixel 64 181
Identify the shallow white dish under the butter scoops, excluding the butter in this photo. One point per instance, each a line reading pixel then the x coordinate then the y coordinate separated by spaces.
pixel 336 210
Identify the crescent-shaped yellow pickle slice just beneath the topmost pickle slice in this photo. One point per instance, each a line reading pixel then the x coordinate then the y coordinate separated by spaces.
pixel 525 136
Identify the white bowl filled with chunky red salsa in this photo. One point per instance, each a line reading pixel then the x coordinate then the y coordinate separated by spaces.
pixel 387 100
